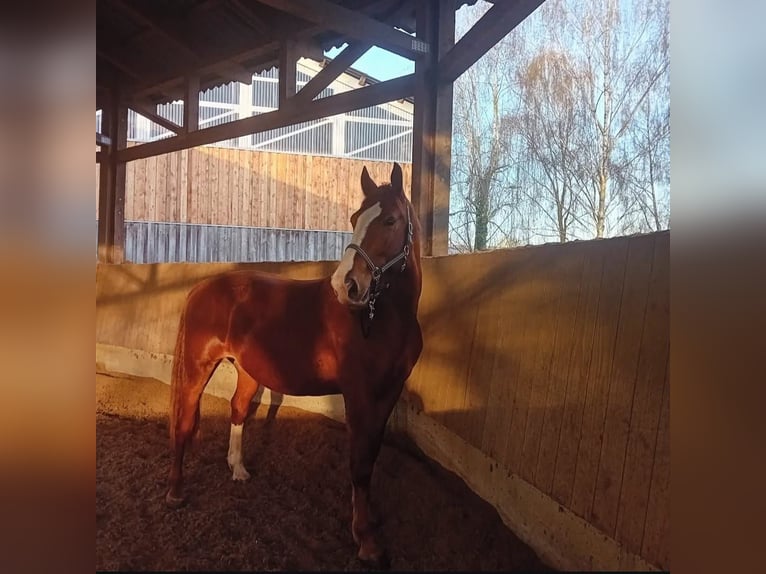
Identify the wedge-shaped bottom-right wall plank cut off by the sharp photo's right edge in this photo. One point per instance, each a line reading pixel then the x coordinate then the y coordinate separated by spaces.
pixel 656 543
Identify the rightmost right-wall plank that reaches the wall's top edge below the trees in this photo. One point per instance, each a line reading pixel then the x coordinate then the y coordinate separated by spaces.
pixel 652 366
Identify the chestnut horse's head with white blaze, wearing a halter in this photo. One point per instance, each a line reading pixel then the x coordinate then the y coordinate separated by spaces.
pixel 381 243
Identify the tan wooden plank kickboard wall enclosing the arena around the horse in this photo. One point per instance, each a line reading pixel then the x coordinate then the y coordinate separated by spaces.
pixel 551 360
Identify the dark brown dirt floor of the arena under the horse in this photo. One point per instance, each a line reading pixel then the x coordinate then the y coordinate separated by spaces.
pixel 295 511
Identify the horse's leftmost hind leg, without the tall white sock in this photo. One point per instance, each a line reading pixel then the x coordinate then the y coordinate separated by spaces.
pixel 186 422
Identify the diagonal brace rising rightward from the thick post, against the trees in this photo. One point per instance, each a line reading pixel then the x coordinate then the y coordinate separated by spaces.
pixel 488 31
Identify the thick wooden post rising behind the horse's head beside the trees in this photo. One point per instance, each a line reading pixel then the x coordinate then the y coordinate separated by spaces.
pixel 432 130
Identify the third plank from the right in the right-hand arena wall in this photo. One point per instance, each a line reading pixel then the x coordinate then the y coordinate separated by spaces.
pixel 599 381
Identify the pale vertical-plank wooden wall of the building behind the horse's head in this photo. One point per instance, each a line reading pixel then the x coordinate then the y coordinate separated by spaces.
pixel 229 186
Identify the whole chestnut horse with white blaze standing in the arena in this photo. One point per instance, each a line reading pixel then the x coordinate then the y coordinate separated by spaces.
pixel 355 333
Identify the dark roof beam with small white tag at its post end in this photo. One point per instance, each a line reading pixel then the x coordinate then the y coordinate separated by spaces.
pixel 353 24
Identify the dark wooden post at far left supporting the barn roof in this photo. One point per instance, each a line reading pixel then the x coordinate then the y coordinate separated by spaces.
pixel 111 205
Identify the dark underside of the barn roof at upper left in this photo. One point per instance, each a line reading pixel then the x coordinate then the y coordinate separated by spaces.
pixel 148 47
